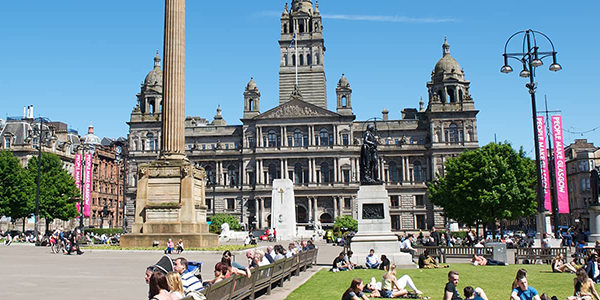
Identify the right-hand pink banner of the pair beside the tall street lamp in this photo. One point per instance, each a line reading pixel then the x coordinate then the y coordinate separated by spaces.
pixel 560 168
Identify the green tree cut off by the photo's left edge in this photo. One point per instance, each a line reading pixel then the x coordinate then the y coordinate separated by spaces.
pixel 16 188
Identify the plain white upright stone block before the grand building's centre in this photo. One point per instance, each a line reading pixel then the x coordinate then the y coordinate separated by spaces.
pixel 283 209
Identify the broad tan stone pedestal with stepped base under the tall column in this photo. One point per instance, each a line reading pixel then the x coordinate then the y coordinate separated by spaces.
pixel 170 204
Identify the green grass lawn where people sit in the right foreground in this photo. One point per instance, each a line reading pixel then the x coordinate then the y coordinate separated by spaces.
pixel 495 280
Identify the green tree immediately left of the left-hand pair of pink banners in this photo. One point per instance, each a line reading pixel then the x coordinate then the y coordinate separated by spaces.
pixel 58 192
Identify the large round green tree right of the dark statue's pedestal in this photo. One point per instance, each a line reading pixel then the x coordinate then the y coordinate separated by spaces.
pixel 486 184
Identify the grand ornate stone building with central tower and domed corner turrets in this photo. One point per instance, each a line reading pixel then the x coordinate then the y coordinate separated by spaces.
pixel 316 148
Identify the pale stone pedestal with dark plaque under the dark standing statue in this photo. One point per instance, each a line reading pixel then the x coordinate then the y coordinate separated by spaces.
pixel 374 228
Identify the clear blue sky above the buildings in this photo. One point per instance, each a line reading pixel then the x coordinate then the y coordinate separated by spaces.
pixel 83 61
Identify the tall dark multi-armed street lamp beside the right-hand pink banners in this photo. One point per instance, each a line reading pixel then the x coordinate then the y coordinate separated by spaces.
pixel 531 58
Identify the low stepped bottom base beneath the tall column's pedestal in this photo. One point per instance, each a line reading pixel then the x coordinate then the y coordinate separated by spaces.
pixel 190 240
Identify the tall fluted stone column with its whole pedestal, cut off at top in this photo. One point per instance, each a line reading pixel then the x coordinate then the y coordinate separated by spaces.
pixel 170 190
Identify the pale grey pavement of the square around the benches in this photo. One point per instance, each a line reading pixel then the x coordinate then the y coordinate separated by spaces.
pixel 30 272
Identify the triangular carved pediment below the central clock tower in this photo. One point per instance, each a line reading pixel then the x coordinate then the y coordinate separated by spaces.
pixel 296 108
